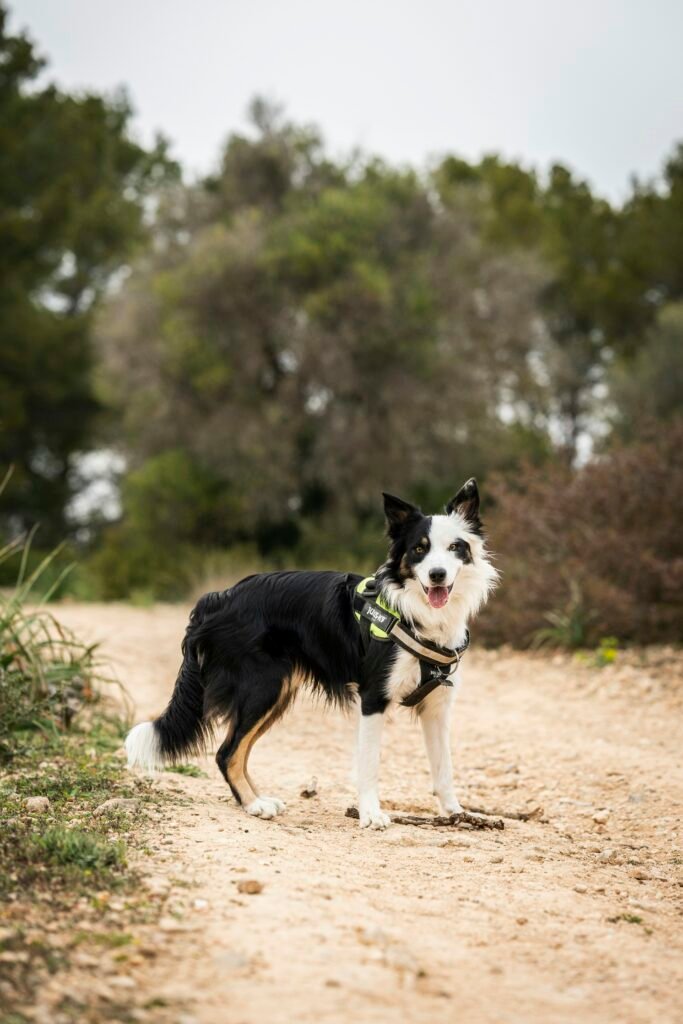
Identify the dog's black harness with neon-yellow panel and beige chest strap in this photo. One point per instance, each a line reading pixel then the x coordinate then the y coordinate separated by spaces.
pixel 379 623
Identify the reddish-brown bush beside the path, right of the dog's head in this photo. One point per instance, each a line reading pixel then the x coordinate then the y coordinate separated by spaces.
pixel 603 546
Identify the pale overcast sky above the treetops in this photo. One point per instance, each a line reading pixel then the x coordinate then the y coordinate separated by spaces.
pixel 599 86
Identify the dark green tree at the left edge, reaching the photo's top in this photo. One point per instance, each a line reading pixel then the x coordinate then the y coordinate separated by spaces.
pixel 74 187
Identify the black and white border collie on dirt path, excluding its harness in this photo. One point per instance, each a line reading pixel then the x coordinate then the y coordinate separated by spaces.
pixel 247 652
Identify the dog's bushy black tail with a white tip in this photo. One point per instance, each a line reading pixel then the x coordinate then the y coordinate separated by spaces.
pixel 183 729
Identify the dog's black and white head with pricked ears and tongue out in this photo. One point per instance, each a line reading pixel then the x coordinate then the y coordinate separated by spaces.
pixel 438 563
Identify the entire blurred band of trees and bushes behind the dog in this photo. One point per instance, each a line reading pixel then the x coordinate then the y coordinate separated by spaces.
pixel 202 379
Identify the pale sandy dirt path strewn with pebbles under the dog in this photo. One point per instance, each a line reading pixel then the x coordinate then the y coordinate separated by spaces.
pixel 559 921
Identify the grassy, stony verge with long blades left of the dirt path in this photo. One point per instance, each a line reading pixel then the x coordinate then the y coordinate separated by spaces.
pixel 61 863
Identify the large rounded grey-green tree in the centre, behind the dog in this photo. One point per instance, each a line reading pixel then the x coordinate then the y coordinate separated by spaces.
pixel 303 339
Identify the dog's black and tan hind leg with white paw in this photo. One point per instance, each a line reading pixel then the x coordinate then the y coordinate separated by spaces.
pixel 261 707
